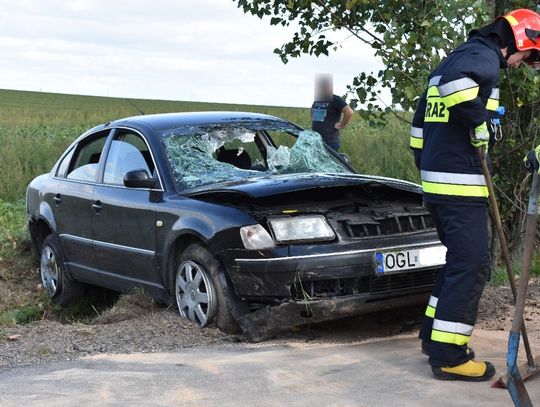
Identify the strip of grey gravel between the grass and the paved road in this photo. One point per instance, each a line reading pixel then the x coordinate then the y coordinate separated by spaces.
pixel 45 341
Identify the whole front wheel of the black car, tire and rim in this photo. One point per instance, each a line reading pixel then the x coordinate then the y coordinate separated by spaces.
pixel 199 275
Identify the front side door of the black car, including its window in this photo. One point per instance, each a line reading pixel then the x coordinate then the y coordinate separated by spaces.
pixel 124 219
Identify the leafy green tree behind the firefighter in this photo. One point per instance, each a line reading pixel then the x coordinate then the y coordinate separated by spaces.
pixel 411 37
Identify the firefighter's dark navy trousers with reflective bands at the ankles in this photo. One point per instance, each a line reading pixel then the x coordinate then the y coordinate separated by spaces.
pixel 453 305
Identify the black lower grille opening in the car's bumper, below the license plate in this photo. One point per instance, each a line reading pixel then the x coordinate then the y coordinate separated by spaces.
pixel 363 285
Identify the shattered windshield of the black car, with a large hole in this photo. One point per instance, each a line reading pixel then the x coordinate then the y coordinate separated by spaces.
pixel 204 155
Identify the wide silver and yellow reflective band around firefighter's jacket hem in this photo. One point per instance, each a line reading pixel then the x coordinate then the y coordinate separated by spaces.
pixel 448 183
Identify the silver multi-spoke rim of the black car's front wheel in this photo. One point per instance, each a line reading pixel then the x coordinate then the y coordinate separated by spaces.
pixel 195 294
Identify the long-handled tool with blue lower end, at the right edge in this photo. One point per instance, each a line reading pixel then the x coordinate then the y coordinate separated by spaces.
pixel 517 389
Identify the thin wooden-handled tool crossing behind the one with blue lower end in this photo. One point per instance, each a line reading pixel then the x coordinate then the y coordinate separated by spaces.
pixel 532 364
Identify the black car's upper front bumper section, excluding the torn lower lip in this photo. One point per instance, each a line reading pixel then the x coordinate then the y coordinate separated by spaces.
pixel 319 273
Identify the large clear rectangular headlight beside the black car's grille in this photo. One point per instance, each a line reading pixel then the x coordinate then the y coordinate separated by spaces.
pixel 301 228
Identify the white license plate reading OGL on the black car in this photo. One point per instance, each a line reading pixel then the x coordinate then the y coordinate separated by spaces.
pixel 403 260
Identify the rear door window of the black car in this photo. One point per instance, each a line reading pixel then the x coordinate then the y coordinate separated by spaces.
pixel 85 165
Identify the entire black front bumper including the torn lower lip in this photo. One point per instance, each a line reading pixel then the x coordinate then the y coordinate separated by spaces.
pixel 320 283
